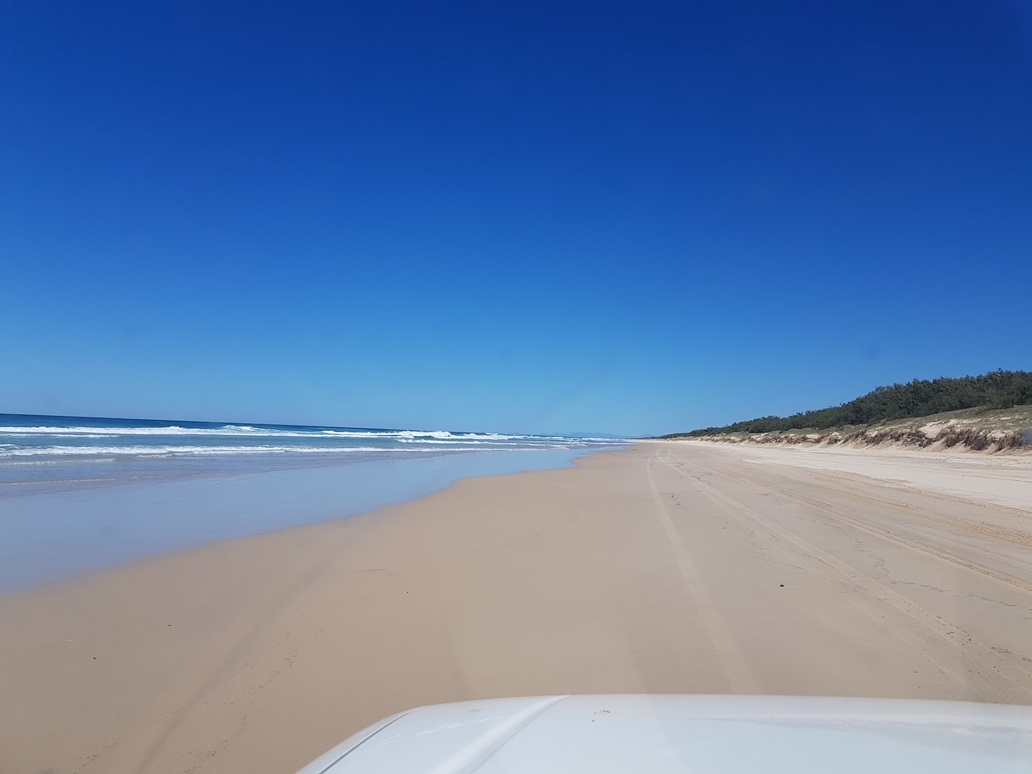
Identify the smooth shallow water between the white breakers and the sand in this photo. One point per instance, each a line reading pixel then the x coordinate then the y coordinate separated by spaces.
pixel 56 532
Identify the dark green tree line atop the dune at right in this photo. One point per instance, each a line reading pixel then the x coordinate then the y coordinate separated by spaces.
pixel 998 390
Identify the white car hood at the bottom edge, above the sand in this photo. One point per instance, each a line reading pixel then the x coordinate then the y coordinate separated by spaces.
pixel 713 734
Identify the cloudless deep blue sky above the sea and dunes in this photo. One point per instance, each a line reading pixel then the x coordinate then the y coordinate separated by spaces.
pixel 633 218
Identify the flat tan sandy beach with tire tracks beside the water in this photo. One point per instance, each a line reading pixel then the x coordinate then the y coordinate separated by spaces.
pixel 668 568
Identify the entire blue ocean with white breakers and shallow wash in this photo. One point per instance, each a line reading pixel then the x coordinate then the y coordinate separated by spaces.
pixel 79 495
